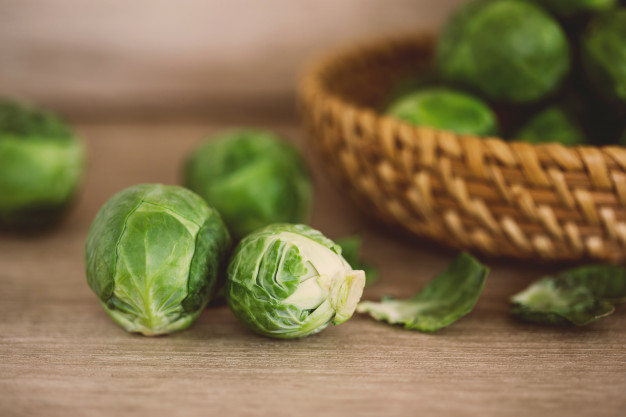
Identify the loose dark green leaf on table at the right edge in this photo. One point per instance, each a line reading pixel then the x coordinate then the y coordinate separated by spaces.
pixel 579 296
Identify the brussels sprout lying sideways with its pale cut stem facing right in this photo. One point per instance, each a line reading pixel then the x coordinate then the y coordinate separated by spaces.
pixel 289 281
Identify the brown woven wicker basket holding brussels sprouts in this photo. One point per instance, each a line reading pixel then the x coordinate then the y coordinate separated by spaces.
pixel 501 198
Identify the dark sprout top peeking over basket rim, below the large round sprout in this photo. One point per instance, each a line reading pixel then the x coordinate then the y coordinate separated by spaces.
pixel 552 125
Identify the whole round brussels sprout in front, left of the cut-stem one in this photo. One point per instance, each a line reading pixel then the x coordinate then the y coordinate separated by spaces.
pixel 153 256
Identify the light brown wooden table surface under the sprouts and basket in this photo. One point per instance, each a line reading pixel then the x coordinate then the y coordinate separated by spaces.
pixel 61 355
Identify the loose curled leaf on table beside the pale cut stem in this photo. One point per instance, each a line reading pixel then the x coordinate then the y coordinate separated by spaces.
pixel 447 298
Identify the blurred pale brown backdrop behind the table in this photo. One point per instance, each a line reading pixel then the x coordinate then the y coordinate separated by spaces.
pixel 164 60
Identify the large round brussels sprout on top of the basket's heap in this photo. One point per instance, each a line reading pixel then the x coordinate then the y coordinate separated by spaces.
pixel 507 50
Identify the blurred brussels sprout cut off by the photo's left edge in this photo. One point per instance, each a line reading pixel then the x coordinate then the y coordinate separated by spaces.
pixel 41 166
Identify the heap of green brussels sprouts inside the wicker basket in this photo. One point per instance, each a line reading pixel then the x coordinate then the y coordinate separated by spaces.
pixel 535 70
